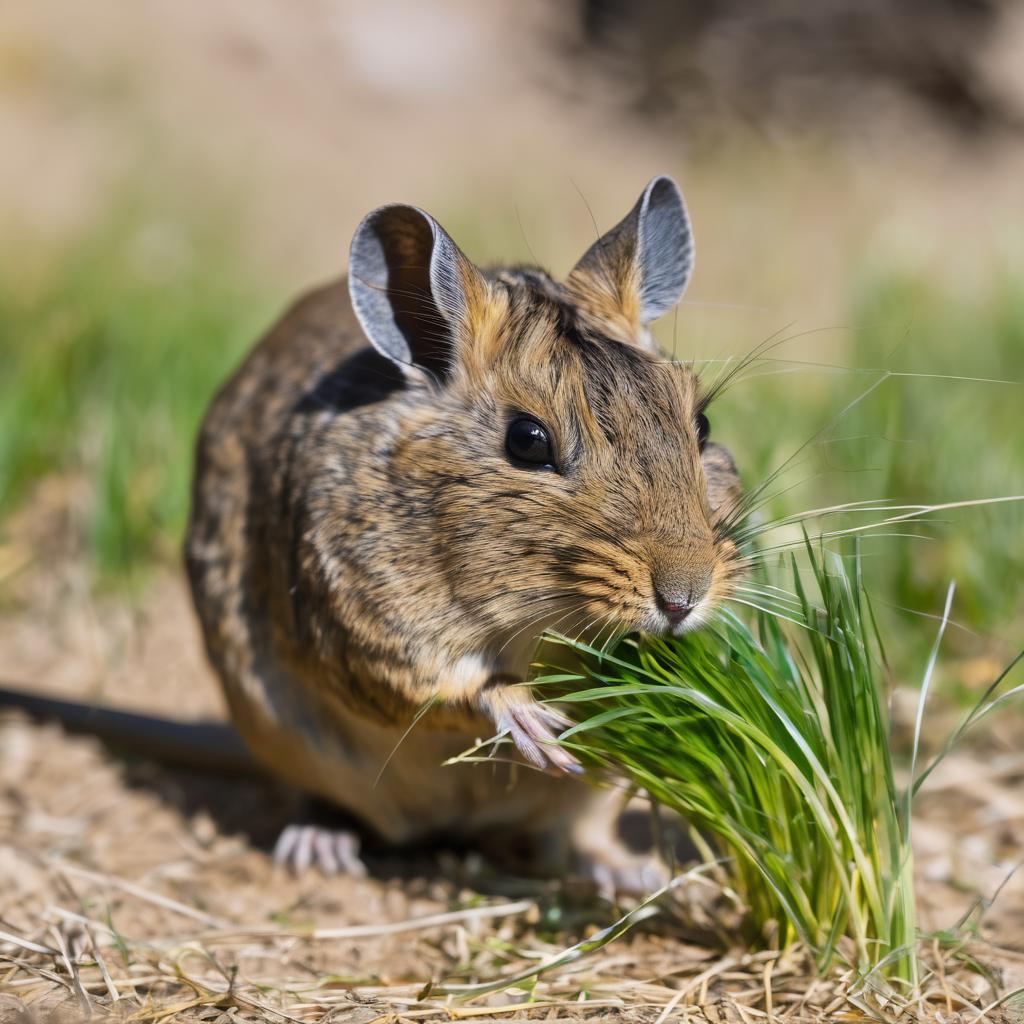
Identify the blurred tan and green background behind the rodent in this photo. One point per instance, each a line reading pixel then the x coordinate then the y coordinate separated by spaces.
pixel 175 177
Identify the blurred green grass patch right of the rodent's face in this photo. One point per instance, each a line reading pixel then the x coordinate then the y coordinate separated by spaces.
pixel 918 432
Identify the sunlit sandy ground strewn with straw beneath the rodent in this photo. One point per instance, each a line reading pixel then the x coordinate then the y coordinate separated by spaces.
pixel 168 864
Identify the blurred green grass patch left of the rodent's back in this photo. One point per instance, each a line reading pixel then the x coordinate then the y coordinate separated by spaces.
pixel 108 363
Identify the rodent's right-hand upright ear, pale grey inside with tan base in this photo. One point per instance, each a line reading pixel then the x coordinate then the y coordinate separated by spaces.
pixel 639 271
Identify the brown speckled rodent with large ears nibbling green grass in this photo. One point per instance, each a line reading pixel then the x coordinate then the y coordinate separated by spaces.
pixel 418 472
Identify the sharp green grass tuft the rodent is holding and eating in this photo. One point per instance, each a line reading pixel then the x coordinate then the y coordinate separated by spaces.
pixel 778 746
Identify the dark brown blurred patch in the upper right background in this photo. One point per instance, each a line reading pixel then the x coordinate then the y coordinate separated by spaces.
pixel 800 62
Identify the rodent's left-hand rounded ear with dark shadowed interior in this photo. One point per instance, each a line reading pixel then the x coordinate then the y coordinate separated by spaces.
pixel 412 287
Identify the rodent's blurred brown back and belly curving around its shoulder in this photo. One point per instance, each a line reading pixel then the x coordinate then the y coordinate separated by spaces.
pixel 315 367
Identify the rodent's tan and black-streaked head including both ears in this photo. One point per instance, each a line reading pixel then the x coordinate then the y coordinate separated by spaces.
pixel 566 464
